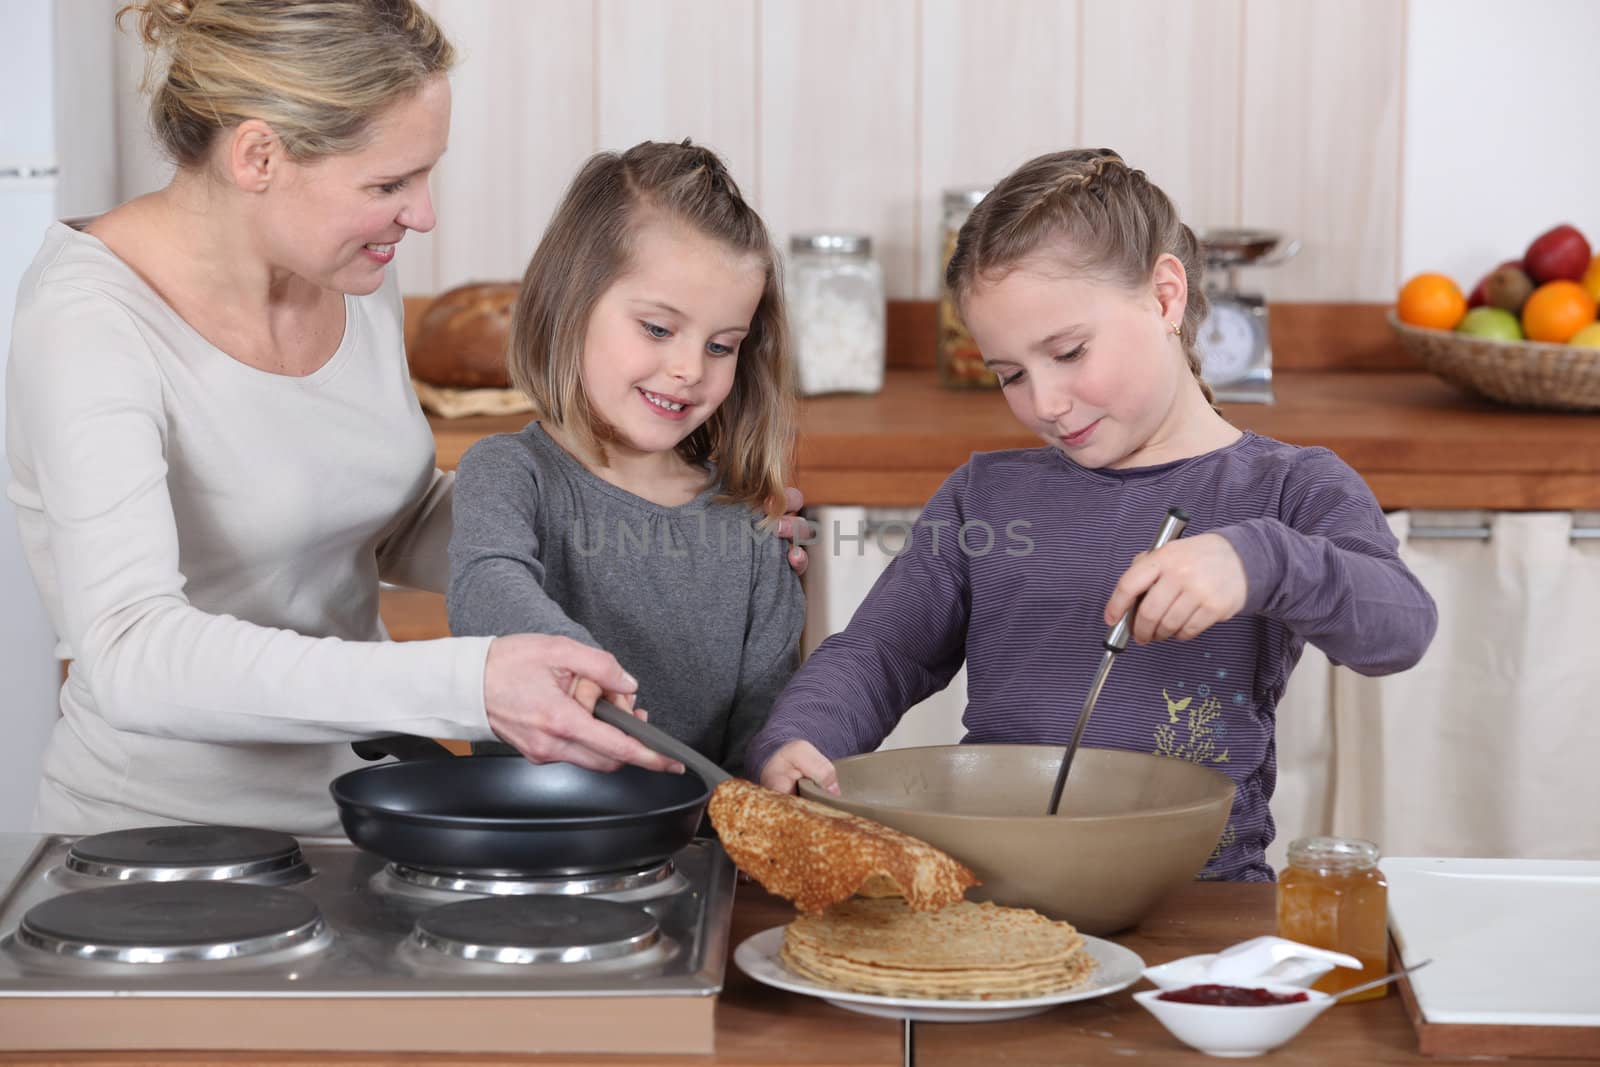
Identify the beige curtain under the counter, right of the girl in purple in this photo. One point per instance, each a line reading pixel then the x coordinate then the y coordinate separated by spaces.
pixel 1489 746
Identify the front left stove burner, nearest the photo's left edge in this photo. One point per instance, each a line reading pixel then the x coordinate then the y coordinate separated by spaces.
pixel 162 922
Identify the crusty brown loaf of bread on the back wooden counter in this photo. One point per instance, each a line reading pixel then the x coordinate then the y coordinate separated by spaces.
pixel 462 342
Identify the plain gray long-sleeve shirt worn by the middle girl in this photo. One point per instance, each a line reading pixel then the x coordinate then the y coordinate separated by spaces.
pixel 697 602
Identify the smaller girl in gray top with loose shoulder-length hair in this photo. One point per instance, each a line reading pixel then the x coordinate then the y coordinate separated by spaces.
pixel 634 513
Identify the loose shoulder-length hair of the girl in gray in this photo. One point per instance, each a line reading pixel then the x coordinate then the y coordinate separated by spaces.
pixel 588 247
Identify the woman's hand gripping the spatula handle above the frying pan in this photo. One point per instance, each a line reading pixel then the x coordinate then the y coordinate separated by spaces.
pixel 540 693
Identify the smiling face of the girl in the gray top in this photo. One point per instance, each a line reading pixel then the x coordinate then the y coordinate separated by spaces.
pixel 663 342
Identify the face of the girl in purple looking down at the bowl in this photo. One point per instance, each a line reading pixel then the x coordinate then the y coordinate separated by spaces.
pixel 1094 369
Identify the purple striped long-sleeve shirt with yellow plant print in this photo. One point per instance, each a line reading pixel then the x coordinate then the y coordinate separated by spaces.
pixel 1010 567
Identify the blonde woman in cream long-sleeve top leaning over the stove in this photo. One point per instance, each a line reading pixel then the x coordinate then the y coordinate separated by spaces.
pixel 215 452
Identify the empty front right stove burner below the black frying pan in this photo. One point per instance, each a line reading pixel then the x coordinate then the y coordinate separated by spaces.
pixel 537 930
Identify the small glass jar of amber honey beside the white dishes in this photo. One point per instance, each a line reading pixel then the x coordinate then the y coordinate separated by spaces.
pixel 1335 897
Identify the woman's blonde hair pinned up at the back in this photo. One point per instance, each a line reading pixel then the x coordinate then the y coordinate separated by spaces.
pixel 316 71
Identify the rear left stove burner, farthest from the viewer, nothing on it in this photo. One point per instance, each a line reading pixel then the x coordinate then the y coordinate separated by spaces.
pixel 185 853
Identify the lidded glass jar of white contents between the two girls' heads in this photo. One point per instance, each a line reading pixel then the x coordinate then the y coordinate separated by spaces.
pixel 836 313
